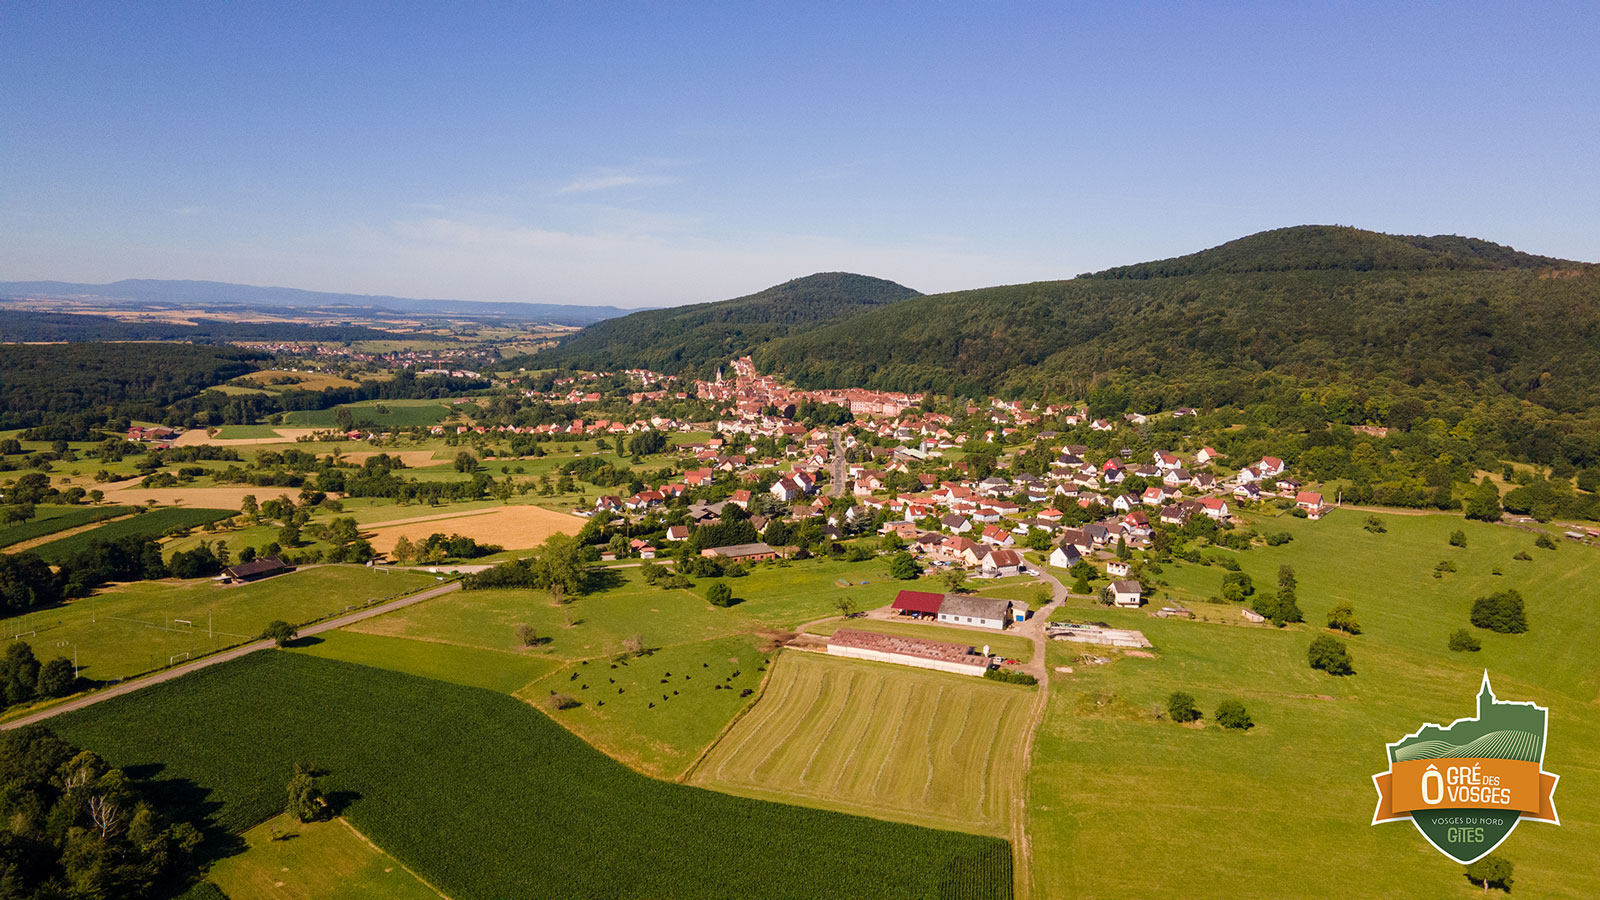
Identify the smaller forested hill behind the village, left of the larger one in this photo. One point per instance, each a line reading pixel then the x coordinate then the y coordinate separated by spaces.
pixel 702 335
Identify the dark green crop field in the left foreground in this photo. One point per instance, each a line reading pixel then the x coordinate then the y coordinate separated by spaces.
pixel 522 810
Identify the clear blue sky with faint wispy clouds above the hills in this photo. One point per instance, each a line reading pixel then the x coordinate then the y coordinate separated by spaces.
pixel 670 153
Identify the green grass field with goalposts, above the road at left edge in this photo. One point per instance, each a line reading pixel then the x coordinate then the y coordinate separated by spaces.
pixel 135 629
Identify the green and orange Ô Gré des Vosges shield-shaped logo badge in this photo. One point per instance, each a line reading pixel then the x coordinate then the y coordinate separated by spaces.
pixel 1468 785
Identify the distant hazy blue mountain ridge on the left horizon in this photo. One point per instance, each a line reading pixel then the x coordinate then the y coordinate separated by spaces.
pixel 190 295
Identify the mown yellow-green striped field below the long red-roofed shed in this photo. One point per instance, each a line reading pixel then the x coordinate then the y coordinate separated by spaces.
pixel 876 739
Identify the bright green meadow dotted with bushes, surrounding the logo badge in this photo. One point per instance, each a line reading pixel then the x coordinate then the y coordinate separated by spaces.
pixel 1110 782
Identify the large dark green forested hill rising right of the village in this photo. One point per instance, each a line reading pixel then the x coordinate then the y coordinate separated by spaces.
pixel 1439 327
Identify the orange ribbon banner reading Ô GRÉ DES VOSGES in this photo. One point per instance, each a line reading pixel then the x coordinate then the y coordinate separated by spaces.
pixel 1513 785
